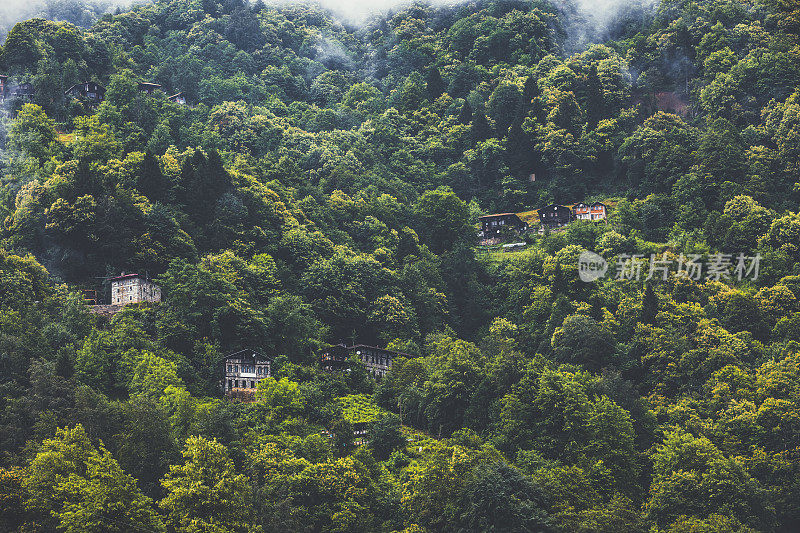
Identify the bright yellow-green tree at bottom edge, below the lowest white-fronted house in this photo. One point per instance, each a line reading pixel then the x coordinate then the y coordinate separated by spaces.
pixel 205 494
